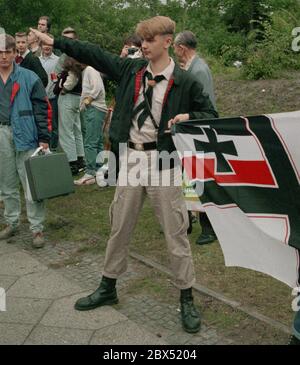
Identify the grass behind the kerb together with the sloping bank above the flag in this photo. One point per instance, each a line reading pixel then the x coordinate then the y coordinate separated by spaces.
pixel 83 216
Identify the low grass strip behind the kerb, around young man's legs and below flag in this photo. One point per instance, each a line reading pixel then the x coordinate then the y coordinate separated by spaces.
pixel 266 295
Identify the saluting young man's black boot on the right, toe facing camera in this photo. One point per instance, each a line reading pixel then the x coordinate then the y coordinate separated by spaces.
pixel 190 317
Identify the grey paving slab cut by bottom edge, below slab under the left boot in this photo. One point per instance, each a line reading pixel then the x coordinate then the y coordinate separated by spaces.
pixel 43 335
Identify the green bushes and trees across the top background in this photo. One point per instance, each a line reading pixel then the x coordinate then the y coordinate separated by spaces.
pixel 256 32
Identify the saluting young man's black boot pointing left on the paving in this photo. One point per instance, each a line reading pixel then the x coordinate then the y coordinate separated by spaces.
pixel 106 294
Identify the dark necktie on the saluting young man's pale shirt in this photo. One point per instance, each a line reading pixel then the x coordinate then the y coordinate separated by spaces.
pixel 144 106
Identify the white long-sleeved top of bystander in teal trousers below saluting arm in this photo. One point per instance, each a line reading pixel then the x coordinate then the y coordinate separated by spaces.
pixel 92 86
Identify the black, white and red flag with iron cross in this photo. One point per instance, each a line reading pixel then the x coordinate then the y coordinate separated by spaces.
pixel 248 172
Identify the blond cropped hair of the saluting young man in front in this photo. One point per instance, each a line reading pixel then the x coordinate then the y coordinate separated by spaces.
pixel 158 25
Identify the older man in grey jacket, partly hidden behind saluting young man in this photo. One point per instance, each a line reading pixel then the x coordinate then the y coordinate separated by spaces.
pixel 185 48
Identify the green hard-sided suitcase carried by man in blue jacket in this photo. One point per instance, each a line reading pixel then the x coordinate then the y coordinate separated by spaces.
pixel 49 176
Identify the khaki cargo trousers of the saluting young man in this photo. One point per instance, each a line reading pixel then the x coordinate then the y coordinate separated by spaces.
pixel 170 209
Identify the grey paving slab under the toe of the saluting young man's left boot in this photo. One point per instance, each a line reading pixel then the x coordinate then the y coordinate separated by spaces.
pixel 63 314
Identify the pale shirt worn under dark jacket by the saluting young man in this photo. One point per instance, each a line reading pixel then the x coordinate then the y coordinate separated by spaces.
pixel 148 133
